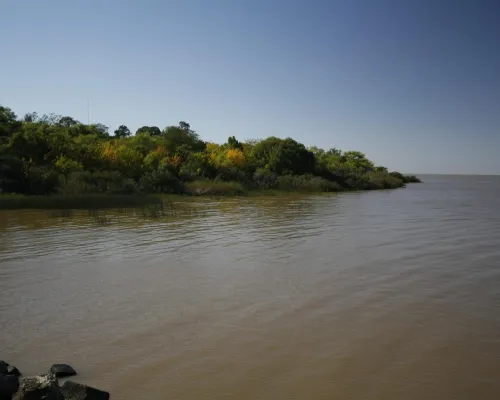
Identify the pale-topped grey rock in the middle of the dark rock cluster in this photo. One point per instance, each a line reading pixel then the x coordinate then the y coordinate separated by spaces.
pixel 44 387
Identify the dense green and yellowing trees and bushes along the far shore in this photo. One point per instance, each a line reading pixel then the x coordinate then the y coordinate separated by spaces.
pixel 53 154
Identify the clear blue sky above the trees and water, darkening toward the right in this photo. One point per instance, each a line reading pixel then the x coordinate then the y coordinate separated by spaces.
pixel 414 84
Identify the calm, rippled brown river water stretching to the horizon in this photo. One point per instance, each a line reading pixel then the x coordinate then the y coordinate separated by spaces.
pixel 379 295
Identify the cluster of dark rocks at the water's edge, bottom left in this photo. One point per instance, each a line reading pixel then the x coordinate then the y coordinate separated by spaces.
pixel 14 386
